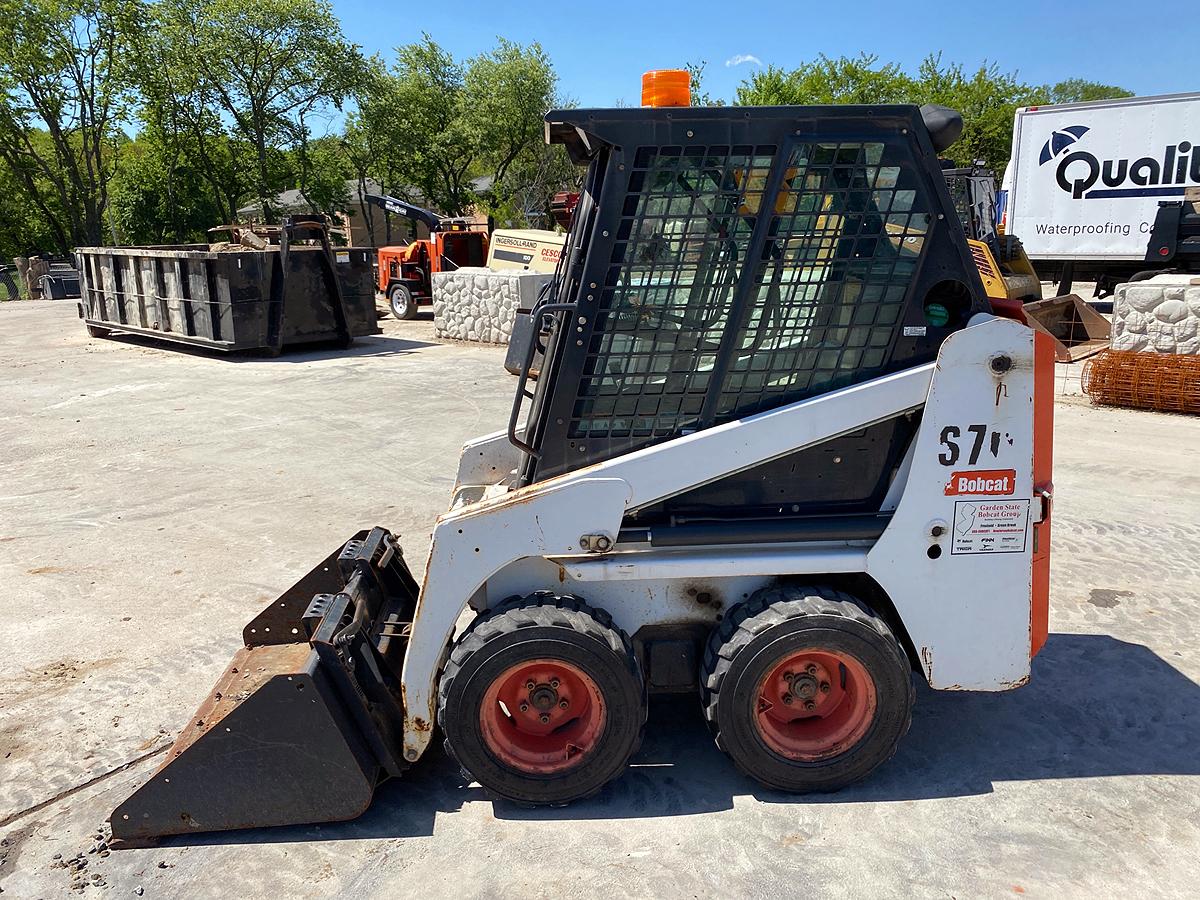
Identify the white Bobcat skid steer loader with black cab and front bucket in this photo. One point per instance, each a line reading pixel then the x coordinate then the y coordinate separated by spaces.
pixel 783 455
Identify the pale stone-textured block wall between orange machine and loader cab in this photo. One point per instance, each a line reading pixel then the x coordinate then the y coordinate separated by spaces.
pixel 481 305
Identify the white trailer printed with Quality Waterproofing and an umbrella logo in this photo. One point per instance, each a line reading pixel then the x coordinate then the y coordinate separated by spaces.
pixel 1085 181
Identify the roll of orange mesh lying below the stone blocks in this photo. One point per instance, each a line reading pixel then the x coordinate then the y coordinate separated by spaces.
pixel 1148 381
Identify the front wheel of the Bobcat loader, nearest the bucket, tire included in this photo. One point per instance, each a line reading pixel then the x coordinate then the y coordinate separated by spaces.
pixel 543 701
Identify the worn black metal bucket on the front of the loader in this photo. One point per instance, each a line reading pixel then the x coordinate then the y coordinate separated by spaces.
pixel 307 719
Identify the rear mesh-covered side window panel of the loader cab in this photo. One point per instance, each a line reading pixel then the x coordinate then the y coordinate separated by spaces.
pixel 841 255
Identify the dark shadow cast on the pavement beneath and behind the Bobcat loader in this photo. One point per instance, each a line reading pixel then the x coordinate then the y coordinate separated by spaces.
pixel 1095 707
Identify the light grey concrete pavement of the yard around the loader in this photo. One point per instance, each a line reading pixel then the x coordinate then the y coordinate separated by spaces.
pixel 153 501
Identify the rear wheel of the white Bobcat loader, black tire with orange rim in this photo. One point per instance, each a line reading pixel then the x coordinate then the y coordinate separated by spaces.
pixel 807 689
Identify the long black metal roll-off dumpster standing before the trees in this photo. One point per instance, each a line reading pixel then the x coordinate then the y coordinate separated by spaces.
pixel 230 299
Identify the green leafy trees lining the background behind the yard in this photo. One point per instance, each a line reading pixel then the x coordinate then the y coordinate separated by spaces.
pixel 148 122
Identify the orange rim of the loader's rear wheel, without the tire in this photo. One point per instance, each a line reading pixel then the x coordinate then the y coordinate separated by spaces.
pixel 815 705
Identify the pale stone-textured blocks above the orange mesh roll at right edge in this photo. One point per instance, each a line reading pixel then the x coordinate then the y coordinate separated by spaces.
pixel 1159 316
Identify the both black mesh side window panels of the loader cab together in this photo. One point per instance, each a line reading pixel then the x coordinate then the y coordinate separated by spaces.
pixel 827 289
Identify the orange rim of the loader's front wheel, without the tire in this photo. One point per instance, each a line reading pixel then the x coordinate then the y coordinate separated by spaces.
pixel 543 717
